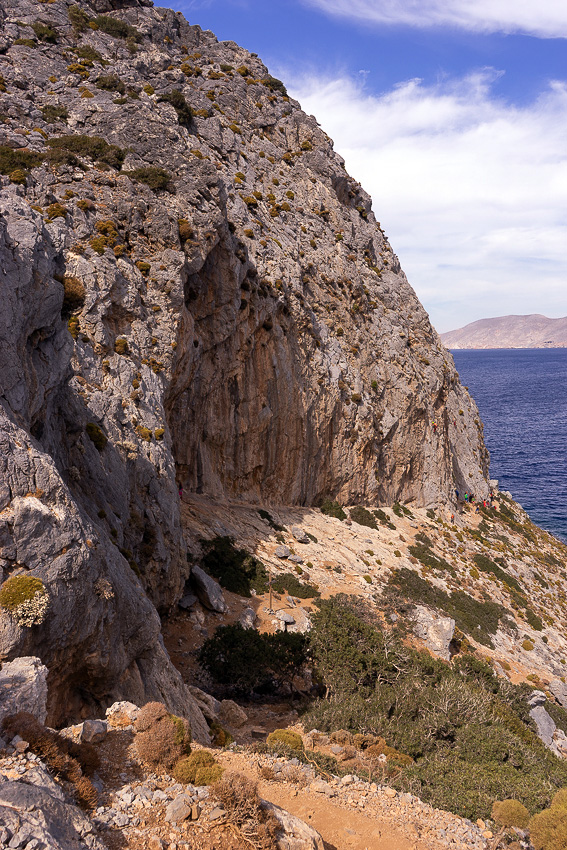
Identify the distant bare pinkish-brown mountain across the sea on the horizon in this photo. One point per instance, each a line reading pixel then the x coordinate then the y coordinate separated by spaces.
pixel 533 331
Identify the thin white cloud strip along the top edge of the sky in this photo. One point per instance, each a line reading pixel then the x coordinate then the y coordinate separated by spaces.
pixel 546 18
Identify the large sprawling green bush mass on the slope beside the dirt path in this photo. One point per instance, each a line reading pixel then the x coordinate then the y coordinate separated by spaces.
pixel 468 732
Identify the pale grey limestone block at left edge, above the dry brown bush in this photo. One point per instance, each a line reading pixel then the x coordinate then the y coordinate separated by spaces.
pixel 23 687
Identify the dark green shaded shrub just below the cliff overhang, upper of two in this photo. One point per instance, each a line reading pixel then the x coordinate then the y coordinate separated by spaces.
pixel 235 569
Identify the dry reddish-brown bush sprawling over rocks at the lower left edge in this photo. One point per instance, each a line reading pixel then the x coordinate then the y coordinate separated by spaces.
pixel 66 759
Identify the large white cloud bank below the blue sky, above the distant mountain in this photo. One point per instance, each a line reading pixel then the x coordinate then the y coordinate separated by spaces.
pixel 471 191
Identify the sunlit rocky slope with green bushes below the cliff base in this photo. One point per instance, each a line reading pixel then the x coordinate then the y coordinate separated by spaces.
pixel 398 587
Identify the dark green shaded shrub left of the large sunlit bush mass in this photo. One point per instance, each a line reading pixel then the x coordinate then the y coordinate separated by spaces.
pixel 248 660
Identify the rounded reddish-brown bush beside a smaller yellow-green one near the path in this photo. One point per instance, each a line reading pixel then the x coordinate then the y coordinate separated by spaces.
pixel 162 739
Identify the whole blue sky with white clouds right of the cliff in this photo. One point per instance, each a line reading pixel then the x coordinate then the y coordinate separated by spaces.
pixel 453 116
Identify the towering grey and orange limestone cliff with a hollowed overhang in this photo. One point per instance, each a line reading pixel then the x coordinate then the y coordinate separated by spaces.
pixel 195 292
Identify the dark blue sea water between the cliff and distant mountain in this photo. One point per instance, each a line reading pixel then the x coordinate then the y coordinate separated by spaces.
pixel 522 398
